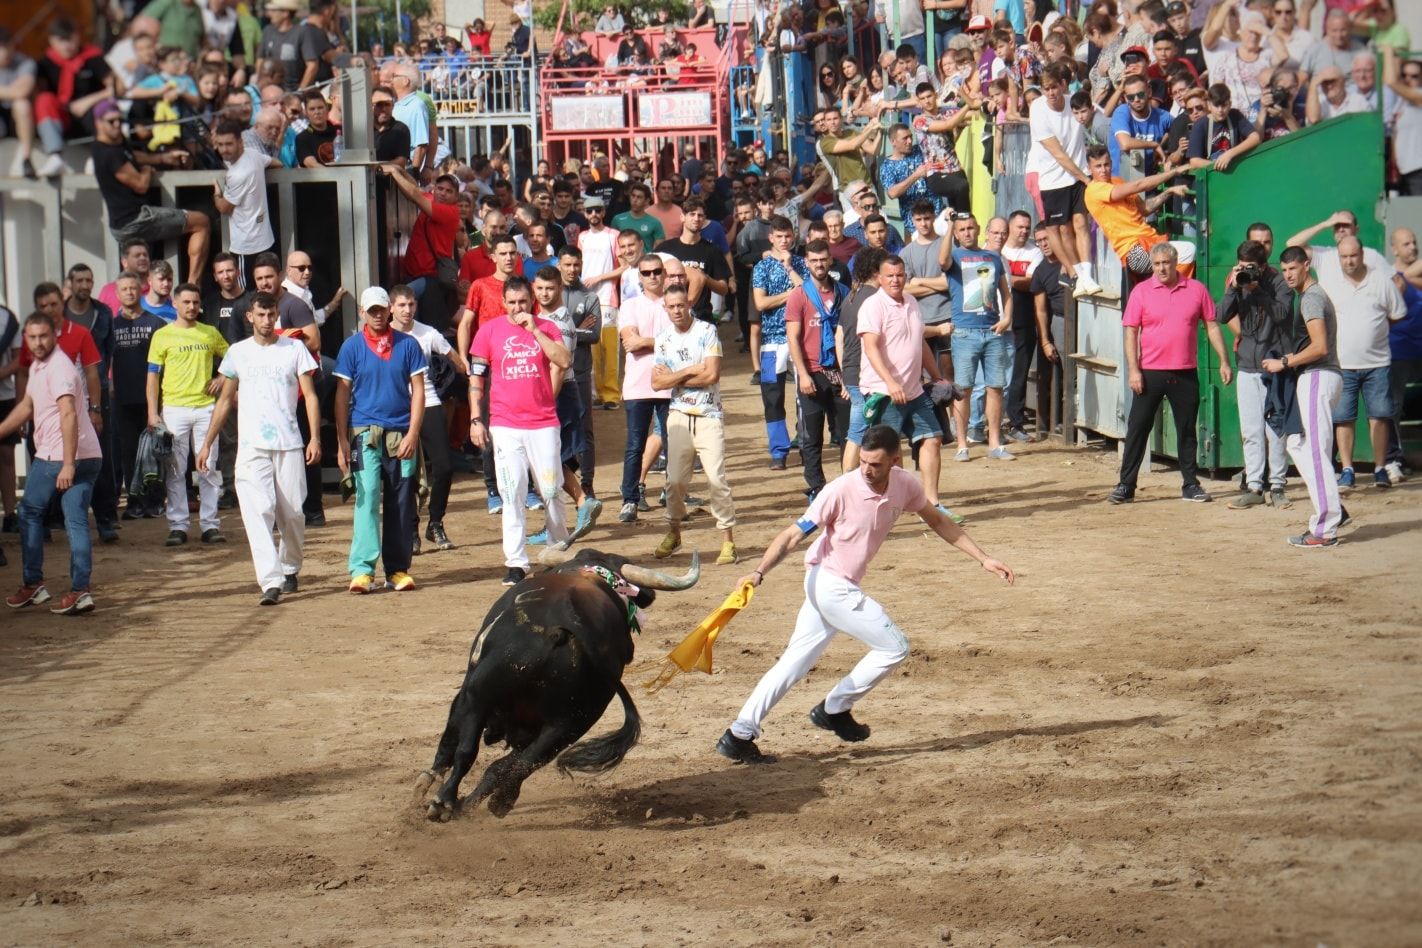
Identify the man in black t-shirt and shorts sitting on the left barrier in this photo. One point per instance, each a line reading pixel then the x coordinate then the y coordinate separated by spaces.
pixel 126 181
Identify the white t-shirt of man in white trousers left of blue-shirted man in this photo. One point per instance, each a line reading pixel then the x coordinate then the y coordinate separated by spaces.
pixel 268 392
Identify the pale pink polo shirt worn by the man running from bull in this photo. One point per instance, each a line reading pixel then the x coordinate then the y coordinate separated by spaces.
pixel 855 521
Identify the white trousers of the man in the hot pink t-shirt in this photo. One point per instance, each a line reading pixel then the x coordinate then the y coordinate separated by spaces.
pixel 515 453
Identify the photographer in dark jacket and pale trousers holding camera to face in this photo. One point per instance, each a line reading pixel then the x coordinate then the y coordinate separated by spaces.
pixel 1258 306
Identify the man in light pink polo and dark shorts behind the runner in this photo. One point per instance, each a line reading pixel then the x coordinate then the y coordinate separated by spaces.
pixel 892 365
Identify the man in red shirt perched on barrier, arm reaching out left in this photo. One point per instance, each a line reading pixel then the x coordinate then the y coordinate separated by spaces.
pixel 432 244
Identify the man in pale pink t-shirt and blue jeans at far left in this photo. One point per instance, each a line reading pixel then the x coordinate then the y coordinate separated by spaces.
pixel 68 461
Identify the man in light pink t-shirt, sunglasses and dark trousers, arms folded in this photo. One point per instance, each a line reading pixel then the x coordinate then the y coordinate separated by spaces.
pixel 639 323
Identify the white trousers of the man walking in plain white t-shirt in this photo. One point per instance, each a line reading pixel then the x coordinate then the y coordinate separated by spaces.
pixel 272 488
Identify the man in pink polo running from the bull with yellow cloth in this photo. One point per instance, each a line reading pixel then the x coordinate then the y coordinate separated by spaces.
pixel 857 511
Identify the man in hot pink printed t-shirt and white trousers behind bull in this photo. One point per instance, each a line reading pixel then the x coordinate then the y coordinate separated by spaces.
pixel 515 356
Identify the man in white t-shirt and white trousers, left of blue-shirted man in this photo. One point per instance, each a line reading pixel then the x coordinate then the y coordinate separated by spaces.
pixel 271 467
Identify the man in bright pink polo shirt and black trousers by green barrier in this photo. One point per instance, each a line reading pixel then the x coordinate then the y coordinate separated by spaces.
pixel 1162 319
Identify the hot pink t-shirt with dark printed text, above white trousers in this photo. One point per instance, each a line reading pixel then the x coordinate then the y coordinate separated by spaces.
pixel 521 380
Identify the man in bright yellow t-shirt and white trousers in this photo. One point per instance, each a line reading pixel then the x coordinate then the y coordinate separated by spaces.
pixel 183 387
